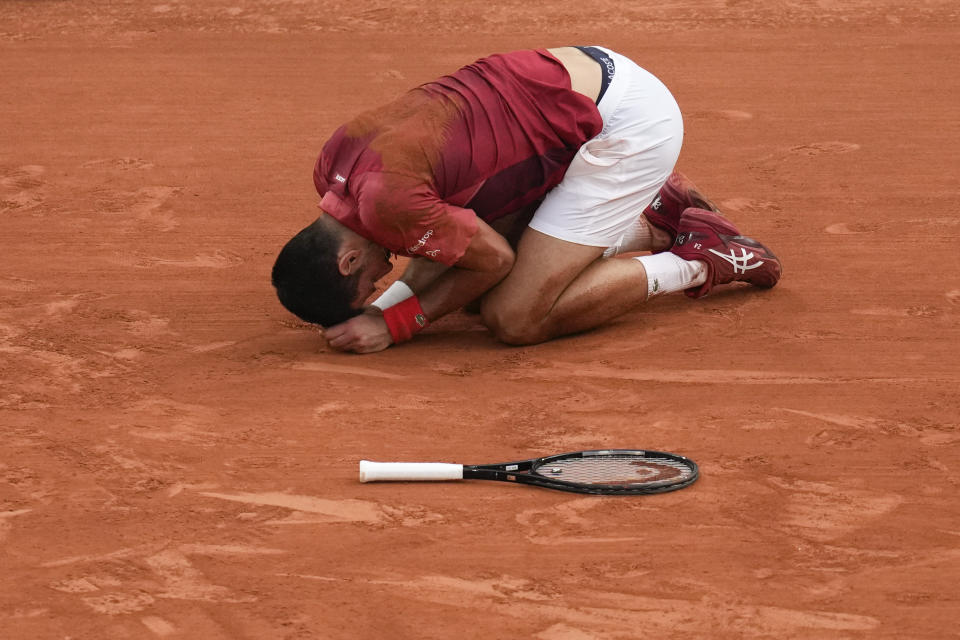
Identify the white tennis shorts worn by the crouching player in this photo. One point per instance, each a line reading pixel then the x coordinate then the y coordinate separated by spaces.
pixel 616 174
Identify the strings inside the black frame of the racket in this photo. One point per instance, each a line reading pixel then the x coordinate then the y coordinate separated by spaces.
pixel 617 469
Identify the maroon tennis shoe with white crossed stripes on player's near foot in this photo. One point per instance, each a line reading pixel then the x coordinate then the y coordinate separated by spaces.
pixel 730 257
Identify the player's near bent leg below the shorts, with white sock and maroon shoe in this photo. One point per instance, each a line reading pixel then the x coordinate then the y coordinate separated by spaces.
pixel 557 287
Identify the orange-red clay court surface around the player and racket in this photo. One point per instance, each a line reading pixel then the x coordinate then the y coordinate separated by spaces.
pixel 178 455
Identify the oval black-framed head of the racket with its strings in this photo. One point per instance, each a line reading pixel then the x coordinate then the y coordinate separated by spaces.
pixel 613 472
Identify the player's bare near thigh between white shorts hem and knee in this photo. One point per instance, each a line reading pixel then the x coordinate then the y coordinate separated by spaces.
pixel 545 266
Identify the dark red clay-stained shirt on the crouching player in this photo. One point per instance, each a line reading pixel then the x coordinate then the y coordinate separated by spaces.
pixel 414 175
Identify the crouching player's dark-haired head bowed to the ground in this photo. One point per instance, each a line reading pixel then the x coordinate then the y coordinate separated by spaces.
pixel 325 273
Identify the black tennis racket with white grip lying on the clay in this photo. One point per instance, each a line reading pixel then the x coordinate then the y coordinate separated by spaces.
pixel 610 471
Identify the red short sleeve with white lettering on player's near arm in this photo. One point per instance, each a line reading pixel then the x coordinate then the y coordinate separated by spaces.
pixel 407 217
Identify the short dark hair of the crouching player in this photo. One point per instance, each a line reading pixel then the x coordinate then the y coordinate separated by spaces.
pixel 308 280
